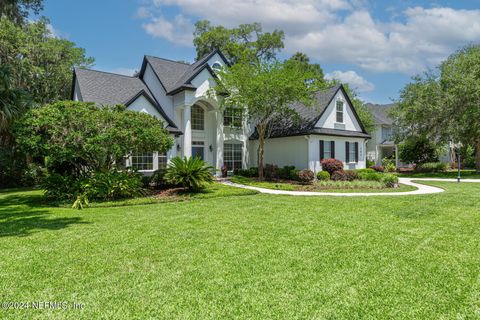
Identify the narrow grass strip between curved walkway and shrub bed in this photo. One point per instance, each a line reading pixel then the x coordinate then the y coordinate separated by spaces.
pixel 352 186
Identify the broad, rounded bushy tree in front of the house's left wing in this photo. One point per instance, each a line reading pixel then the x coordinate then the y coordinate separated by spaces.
pixel 78 137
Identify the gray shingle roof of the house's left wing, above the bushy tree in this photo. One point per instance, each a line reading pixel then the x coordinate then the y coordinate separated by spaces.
pixel 104 88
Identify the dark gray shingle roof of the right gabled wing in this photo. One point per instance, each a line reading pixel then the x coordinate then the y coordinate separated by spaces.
pixel 304 121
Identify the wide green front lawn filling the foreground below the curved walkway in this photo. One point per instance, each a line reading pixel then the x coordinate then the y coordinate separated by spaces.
pixel 249 256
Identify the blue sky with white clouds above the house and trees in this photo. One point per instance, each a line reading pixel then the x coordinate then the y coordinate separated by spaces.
pixel 376 46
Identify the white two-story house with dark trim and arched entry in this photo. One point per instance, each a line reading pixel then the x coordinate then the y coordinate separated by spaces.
pixel 176 93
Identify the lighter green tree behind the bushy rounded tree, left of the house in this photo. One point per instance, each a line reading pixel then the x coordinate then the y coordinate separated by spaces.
pixel 40 64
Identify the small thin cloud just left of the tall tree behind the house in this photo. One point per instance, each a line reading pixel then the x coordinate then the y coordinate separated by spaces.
pixel 178 31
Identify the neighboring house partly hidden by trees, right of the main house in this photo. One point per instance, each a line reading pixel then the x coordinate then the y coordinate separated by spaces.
pixel 382 144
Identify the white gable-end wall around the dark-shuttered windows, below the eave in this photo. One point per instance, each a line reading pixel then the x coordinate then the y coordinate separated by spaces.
pixel 314 152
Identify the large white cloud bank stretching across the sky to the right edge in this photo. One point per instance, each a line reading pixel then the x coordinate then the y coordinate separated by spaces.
pixel 338 31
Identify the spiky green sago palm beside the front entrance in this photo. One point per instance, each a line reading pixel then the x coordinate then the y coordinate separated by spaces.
pixel 191 173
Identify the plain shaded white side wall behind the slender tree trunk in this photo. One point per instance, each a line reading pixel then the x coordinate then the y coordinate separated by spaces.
pixel 288 151
